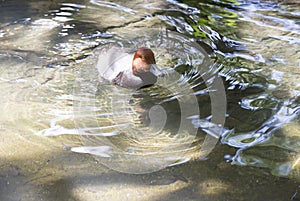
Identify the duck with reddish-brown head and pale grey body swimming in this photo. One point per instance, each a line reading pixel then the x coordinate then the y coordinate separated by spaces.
pixel 128 69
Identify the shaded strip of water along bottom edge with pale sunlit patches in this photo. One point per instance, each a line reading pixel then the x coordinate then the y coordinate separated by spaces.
pixel 79 178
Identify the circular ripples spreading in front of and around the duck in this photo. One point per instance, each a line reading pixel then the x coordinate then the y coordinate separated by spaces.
pixel 143 130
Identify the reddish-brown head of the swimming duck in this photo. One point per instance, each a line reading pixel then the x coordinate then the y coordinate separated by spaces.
pixel 142 60
